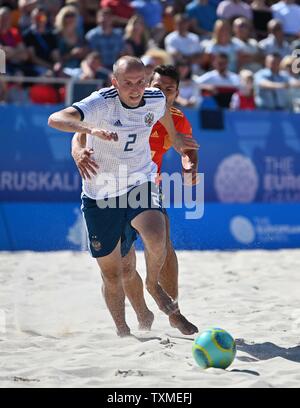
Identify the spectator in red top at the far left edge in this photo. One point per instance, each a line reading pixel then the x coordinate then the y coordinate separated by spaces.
pixel 11 42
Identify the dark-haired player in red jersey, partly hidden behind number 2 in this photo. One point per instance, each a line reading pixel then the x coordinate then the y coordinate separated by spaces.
pixel 166 78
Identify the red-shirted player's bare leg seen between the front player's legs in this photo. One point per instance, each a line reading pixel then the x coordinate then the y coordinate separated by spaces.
pixel 133 287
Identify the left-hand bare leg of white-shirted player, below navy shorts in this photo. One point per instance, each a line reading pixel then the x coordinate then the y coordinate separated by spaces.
pixel 112 289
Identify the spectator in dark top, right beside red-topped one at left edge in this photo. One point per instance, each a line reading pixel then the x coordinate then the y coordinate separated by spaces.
pixel 41 43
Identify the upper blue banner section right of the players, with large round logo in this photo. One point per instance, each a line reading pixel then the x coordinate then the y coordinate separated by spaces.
pixel 250 157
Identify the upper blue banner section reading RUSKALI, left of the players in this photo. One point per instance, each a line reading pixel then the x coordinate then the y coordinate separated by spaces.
pixel 35 160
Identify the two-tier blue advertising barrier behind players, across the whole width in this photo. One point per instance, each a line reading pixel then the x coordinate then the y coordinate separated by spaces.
pixel 251 166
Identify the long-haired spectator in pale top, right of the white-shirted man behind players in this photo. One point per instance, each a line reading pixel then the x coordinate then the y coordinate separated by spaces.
pixel 221 43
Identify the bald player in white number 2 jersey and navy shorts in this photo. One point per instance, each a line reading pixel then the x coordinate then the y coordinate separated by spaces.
pixel 118 122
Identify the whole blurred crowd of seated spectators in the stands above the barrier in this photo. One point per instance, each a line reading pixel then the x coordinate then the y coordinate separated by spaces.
pixel 240 54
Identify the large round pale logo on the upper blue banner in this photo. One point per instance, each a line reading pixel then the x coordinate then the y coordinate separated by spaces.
pixel 236 180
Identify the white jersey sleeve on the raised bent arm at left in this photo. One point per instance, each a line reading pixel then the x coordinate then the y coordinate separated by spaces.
pixel 92 108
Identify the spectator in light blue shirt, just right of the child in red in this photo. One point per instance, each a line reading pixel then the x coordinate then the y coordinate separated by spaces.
pixel 272 85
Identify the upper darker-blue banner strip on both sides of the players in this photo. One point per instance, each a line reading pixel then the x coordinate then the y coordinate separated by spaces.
pixel 245 156
